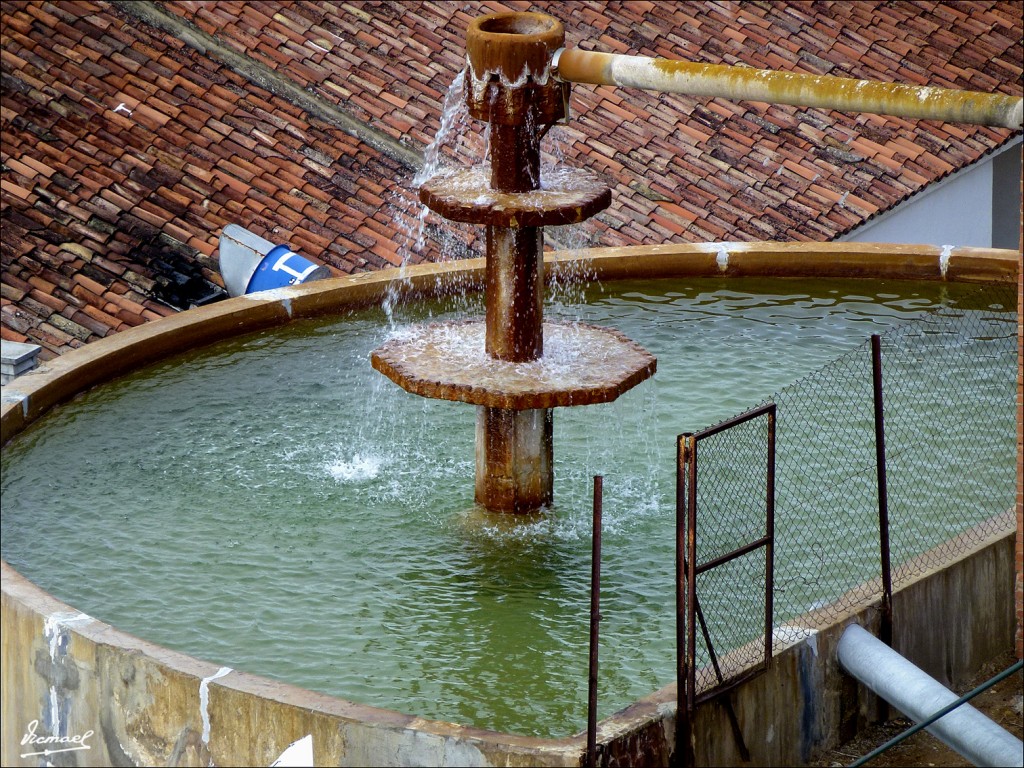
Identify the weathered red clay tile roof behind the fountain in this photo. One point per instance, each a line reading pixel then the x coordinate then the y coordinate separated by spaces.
pixel 133 133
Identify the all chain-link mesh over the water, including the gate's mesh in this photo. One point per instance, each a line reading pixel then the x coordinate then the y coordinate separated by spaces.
pixel 950 414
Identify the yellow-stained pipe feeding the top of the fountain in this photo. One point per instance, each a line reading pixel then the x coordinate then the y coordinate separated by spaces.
pixel 741 83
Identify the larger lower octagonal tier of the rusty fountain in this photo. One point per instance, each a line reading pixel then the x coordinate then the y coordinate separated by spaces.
pixel 582 365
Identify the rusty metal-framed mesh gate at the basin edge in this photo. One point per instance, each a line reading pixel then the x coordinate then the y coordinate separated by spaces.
pixel 729 495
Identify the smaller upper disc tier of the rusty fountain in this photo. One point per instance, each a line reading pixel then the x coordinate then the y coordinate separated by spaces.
pixel 568 196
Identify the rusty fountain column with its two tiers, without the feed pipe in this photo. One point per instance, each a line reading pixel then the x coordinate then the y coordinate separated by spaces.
pixel 513 365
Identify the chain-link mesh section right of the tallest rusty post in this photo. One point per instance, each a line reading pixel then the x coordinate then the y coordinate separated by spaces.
pixel 951 397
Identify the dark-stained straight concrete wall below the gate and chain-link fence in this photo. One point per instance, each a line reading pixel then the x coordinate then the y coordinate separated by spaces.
pixel 950 622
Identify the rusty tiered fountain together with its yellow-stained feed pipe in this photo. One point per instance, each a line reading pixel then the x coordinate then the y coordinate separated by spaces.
pixel 520 79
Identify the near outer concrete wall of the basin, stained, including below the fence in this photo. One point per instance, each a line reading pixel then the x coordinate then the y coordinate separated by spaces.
pixel 137 704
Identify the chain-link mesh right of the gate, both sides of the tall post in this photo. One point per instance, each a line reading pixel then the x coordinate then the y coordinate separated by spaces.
pixel 950 399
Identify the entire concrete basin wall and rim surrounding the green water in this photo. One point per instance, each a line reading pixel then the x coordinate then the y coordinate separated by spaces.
pixel 88 685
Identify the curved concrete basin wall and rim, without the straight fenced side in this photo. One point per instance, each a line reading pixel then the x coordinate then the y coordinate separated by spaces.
pixel 156 706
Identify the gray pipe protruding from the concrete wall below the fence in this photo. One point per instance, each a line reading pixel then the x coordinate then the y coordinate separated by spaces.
pixel 919 697
